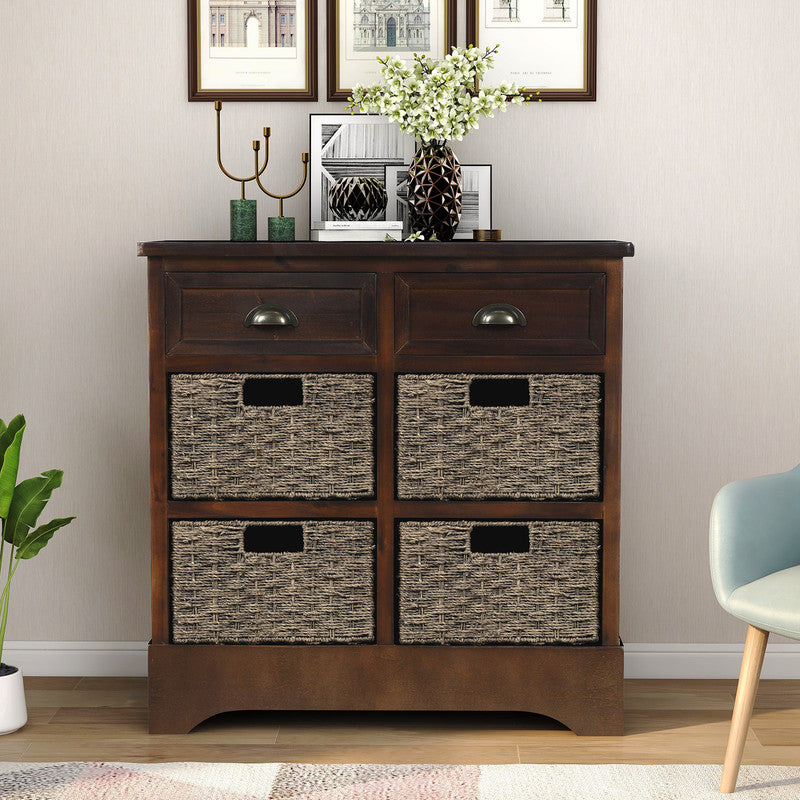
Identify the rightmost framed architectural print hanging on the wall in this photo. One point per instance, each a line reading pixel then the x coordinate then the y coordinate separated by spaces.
pixel 549 47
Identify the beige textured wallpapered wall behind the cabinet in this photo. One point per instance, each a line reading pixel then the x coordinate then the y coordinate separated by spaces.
pixel 690 152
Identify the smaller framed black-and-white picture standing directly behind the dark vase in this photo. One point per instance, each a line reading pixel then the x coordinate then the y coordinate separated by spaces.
pixel 476 208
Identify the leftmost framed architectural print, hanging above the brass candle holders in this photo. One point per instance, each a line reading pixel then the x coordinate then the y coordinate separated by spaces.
pixel 252 50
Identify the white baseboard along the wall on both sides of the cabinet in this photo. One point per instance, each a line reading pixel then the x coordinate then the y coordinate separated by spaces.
pixel 641 660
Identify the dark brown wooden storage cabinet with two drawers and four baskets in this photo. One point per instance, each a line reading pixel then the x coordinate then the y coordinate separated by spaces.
pixel 385 476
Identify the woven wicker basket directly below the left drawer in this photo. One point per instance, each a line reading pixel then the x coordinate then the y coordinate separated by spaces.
pixel 319 443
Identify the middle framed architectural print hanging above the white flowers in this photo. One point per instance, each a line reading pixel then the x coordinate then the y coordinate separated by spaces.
pixel 361 31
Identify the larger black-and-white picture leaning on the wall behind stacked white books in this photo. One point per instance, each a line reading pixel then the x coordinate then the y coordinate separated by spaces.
pixel 349 145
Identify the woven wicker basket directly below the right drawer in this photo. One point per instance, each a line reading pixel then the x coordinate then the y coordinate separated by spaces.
pixel 545 446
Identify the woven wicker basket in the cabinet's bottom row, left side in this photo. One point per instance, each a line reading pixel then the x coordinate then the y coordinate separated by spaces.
pixel 223 593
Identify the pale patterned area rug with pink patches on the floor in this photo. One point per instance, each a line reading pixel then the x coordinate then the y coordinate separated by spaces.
pixel 199 781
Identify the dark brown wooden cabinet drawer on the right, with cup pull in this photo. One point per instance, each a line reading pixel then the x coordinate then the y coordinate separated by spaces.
pixel 564 313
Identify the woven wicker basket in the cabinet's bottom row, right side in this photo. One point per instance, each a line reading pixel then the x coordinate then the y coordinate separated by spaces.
pixel 450 594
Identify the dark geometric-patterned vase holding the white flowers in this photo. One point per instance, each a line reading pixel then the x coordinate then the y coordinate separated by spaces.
pixel 434 191
